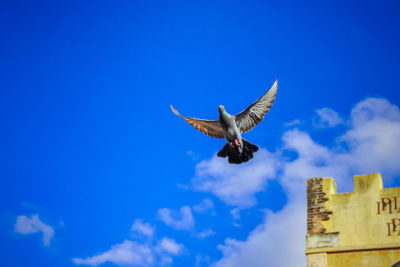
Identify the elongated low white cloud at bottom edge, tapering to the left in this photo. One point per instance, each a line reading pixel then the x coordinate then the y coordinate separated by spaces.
pixel 126 253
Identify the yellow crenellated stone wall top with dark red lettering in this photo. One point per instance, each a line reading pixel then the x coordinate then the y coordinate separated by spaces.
pixel 361 228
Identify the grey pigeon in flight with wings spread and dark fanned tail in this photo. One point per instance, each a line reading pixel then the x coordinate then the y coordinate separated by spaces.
pixel 230 127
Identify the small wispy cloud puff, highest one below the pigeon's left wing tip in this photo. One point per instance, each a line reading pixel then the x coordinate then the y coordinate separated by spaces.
pixel 179 220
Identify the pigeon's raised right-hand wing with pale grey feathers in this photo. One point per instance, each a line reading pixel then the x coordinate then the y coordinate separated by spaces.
pixel 251 116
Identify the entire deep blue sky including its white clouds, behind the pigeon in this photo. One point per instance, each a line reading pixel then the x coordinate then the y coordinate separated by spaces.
pixel 96 170
